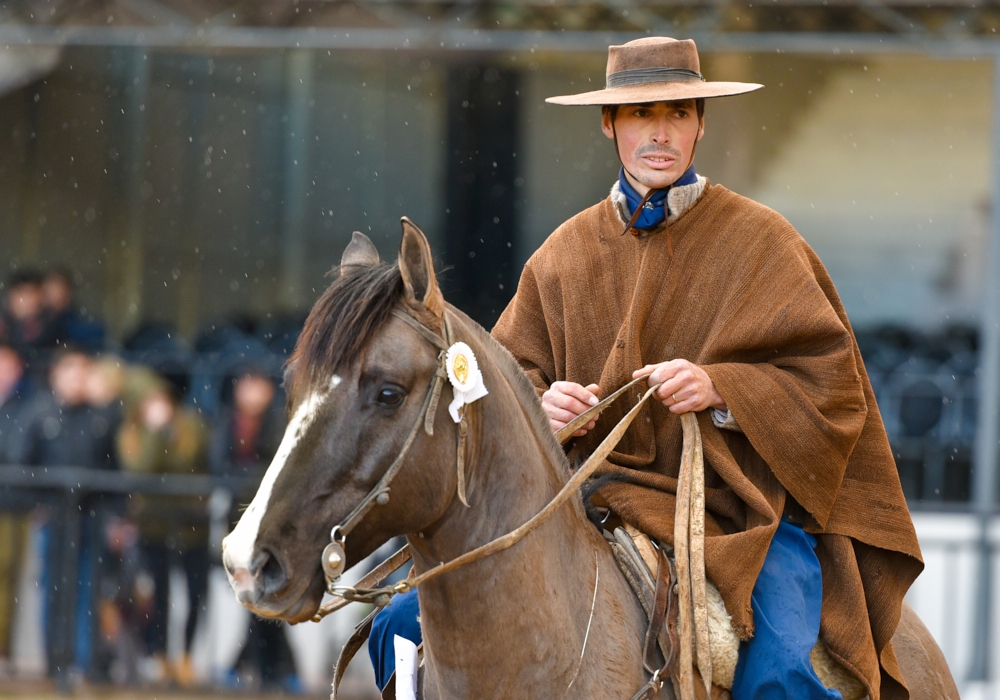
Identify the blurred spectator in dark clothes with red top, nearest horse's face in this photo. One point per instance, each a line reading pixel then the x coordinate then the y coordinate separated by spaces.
pixel 246 436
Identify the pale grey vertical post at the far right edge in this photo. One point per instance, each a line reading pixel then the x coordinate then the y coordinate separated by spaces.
pixel 985 465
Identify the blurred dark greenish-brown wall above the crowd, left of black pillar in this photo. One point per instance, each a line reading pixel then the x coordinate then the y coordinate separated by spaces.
pixel 184 188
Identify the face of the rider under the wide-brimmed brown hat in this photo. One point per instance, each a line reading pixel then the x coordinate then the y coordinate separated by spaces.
pixel 655 141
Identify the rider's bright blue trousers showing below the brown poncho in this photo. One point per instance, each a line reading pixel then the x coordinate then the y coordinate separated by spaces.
pixel 773 665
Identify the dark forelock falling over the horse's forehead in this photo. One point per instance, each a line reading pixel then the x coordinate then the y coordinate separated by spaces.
pixel 339 326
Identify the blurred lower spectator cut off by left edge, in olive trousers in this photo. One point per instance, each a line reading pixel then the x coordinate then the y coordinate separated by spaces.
pixel 15 397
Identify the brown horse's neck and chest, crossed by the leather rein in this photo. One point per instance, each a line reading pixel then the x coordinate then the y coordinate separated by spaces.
pixel 546 581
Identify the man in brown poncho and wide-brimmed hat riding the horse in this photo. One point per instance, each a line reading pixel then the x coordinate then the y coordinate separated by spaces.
pixel 719 299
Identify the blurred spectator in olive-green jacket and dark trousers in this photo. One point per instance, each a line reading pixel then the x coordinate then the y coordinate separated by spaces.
pixel 161 437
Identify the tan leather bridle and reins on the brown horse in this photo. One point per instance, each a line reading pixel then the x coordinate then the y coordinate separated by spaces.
pixel 689 525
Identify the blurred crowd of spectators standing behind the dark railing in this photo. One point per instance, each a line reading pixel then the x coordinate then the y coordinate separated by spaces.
pixel 66 400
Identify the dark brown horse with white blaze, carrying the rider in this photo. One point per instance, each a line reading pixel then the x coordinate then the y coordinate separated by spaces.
pixel 550 617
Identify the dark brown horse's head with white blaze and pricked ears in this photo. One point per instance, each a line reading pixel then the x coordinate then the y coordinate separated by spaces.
pixel 357 385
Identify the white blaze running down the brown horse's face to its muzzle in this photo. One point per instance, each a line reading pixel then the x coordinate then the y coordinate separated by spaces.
pixel 238 546
